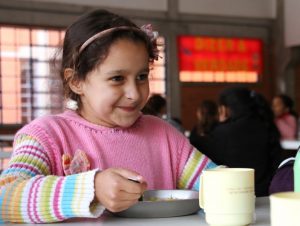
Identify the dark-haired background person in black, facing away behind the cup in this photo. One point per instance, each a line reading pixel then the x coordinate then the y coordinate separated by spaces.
pixel 246 137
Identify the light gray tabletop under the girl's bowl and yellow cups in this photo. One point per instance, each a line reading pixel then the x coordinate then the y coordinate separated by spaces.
pixel 262 219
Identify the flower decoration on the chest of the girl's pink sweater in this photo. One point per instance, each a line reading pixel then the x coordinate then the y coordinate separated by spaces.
pixel 77 164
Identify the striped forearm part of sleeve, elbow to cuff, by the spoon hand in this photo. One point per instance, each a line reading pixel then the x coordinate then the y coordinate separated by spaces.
pixel 43 199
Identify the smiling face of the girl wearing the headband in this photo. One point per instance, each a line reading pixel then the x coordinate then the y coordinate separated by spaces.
pixel 114 93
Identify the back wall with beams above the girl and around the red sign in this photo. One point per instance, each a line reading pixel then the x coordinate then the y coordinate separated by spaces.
pixel 240 18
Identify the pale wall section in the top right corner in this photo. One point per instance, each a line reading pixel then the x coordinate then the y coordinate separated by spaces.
pixel 291 23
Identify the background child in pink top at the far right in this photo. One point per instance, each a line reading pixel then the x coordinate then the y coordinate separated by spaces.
pixel 286 118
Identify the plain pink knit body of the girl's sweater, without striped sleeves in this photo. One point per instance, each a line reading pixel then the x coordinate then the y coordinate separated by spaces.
pixel 159 157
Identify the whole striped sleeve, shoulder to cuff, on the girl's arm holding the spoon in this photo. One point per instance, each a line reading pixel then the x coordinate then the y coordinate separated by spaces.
pixel 30 194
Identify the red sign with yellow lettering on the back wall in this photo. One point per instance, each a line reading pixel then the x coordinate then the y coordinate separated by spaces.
pixel 211 59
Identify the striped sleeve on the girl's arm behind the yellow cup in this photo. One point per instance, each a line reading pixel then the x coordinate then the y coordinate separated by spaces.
pixel 196 163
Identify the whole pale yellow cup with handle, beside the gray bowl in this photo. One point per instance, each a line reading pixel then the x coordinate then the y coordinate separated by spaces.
pixel 227 196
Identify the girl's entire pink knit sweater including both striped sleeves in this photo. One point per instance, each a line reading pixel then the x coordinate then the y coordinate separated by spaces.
pixel 36 187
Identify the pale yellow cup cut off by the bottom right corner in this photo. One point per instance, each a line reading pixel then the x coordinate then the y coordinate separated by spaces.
pixel 285 207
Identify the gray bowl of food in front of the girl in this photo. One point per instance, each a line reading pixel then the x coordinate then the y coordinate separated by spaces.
pixel 168 203
